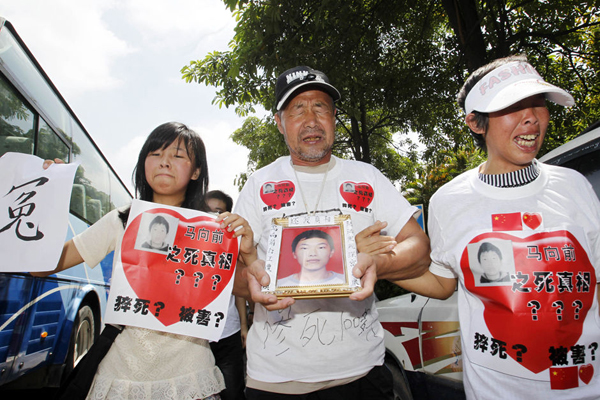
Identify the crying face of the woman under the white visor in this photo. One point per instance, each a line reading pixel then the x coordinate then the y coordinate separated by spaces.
pixel 515 135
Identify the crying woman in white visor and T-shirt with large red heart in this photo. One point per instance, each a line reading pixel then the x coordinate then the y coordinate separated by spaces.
pixel 534 337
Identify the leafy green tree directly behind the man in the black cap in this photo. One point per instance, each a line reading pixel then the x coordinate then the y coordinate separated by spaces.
pixel 386 70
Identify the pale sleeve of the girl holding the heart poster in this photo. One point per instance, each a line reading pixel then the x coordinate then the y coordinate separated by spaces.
pixel 99 239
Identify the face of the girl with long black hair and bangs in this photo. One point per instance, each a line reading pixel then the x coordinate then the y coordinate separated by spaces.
pixel 168 172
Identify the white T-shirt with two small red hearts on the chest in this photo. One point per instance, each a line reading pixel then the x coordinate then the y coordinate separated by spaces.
pixel 319 339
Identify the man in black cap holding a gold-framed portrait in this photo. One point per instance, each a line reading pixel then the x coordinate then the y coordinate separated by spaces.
pixel 323 348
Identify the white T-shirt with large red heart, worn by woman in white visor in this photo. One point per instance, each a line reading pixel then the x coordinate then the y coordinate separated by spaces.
pixel 540 329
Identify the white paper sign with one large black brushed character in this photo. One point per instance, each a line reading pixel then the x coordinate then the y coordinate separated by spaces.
pixel 34 212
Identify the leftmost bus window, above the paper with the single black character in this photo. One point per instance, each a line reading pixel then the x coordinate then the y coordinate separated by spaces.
pixel 16 122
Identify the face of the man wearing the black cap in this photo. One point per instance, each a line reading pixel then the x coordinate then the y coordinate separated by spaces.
pixel 308 125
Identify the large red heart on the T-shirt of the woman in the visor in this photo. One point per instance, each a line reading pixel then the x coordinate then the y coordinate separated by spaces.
pixel 538 314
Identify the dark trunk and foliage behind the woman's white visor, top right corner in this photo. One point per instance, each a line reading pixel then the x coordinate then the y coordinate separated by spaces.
pixel 561 38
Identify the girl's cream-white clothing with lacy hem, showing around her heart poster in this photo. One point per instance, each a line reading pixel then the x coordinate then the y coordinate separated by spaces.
pixel 142 363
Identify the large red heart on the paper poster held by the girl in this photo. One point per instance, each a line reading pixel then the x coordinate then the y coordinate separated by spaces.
pixel 192 274
